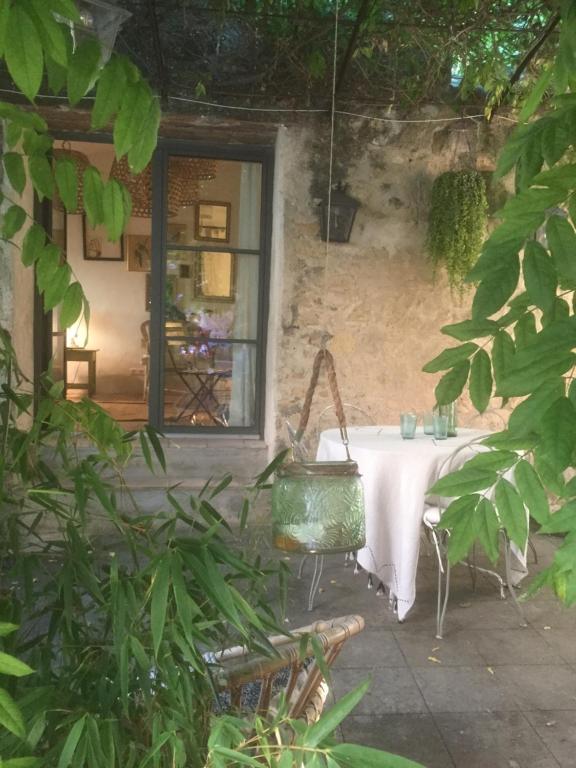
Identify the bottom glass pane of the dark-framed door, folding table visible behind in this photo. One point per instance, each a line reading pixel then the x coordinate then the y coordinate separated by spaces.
pixel 207 382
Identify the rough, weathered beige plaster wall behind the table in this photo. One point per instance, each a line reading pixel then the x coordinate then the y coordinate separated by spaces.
pixel 375 297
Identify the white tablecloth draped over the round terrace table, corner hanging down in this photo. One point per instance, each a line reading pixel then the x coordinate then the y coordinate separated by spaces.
pixel 396 474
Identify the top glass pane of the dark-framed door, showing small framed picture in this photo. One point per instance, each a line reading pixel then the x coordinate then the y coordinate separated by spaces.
pixel 214 202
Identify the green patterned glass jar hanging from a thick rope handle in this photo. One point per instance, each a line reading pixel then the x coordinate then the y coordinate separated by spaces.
pixel 318 507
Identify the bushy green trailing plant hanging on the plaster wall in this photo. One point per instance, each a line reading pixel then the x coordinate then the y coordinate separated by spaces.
pixel 457 223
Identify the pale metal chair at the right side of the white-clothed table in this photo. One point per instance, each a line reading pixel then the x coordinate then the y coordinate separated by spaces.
pixel 434 509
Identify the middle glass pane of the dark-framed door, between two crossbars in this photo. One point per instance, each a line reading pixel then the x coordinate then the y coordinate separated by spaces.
pixel 214 293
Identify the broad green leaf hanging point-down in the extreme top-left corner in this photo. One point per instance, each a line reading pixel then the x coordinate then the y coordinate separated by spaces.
pixel 23 51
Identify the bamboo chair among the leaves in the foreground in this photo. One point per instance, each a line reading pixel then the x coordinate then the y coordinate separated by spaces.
pixel 242 675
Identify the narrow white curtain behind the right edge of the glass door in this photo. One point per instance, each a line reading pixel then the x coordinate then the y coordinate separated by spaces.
pixel 246 309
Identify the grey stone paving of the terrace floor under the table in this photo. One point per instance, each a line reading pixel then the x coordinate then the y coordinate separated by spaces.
pixel 491 694
